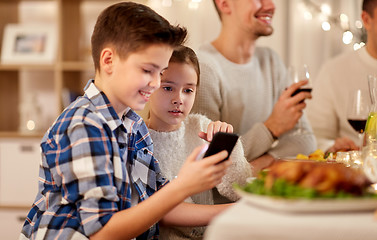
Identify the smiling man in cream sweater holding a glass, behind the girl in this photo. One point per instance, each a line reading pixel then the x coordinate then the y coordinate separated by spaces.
pixel 246 85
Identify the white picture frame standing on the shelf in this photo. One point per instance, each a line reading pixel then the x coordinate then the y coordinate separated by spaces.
pixel 29 44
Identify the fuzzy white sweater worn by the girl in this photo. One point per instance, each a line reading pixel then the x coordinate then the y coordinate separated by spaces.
pixel 172 148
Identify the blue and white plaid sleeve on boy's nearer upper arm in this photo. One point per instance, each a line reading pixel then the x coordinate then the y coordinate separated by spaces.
pixel 84 163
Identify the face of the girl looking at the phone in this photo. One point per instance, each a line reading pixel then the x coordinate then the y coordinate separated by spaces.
pixel 172 102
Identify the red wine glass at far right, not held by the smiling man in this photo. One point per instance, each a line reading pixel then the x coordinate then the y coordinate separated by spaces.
pixel 358 110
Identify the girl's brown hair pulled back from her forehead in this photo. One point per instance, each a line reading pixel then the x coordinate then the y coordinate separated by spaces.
pixel 183 54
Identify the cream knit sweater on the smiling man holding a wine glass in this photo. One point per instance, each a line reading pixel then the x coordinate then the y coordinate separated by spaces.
pixel 244 95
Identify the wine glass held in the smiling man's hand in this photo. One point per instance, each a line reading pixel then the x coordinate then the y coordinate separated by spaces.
pixel 296 74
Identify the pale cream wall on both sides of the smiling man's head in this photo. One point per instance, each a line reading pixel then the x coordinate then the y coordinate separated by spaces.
pixel 295 39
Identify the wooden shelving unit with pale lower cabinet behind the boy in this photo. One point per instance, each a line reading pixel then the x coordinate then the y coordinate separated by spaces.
pixel 51 85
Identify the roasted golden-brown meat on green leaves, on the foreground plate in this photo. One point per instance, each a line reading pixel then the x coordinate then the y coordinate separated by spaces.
pixel 304 179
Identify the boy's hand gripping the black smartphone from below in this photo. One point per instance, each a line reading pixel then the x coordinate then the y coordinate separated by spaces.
pixel 198 176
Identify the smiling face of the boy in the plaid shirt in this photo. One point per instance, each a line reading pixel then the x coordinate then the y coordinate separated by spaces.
pixel 132 80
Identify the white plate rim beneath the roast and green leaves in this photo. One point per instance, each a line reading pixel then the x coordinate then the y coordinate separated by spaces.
pixel 309 205
